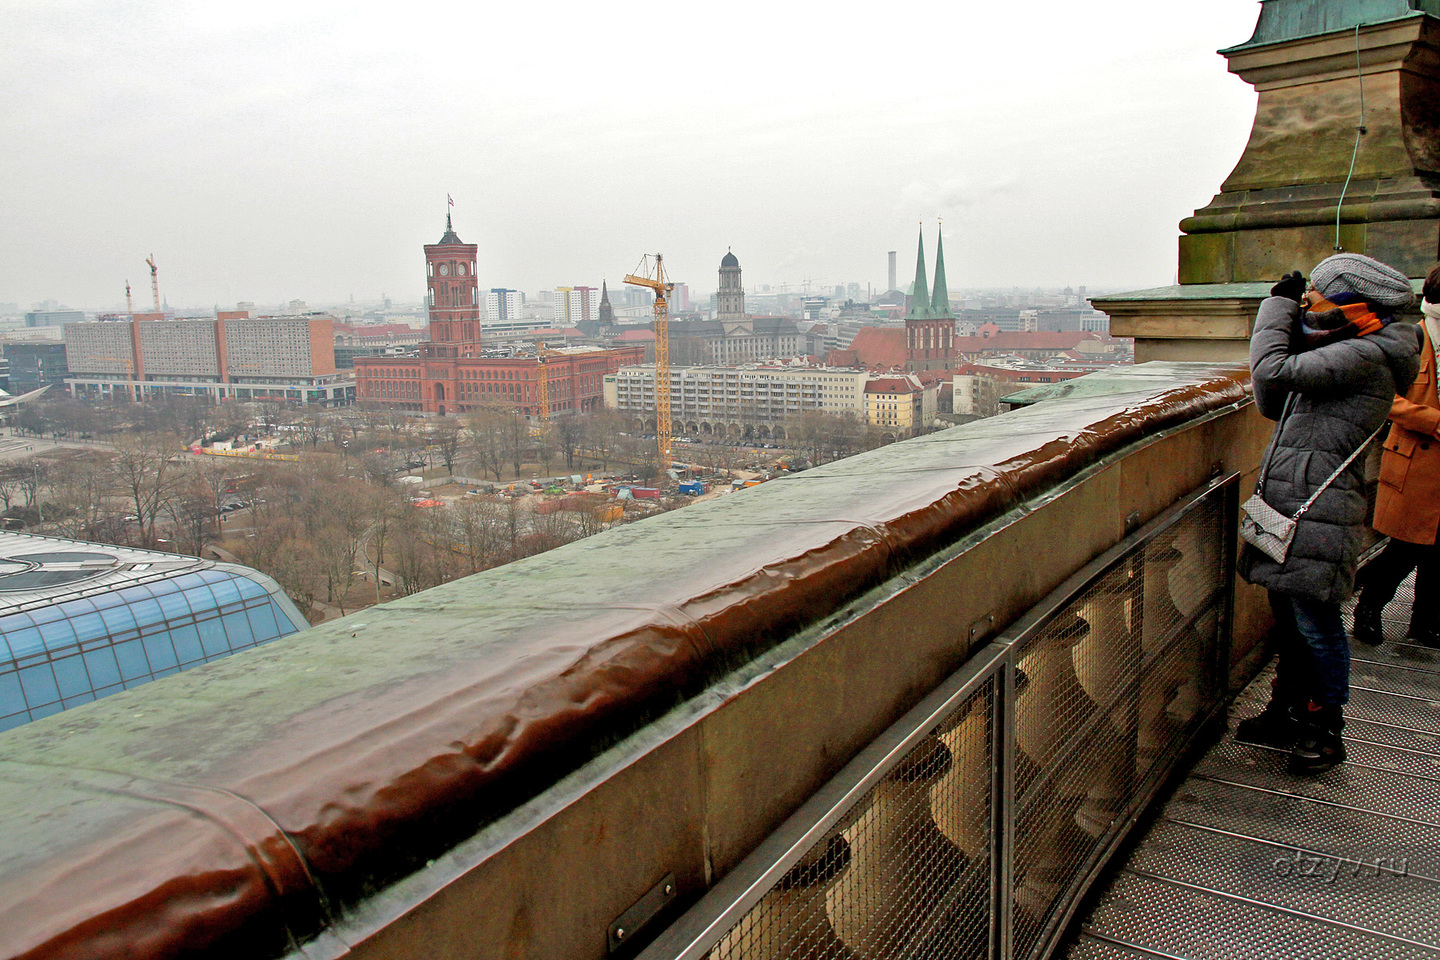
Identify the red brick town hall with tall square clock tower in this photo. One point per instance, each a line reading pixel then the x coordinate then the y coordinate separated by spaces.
pixel 450 376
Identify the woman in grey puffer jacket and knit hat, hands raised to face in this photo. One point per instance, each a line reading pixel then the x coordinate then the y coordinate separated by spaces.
pixel 1336 350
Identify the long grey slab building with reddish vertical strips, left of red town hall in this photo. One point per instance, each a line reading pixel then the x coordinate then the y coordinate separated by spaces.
pixel 228 356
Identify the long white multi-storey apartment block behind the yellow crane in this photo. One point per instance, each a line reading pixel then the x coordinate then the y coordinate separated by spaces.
pixel 737 402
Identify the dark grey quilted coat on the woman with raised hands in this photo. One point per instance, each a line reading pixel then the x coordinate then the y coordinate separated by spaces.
pixel 1344 394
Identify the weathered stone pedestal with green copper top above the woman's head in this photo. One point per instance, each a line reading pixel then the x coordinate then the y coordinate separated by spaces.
pixel 1314 63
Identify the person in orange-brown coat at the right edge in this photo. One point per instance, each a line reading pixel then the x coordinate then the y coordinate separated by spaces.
pixel 1408 507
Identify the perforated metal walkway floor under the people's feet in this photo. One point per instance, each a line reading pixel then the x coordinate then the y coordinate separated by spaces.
pixel 1248 861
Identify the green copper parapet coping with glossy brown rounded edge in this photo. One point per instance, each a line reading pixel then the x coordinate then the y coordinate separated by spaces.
pixel 240 808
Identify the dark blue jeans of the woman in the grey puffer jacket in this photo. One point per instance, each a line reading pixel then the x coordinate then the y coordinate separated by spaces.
pixel 1313 654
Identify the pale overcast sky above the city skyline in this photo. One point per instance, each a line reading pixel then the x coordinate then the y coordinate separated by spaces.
pixel 283 149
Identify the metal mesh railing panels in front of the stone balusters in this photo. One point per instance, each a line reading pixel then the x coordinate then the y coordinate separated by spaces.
pixel 973 828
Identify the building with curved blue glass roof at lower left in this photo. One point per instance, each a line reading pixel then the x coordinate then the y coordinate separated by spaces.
pixel 83 621
